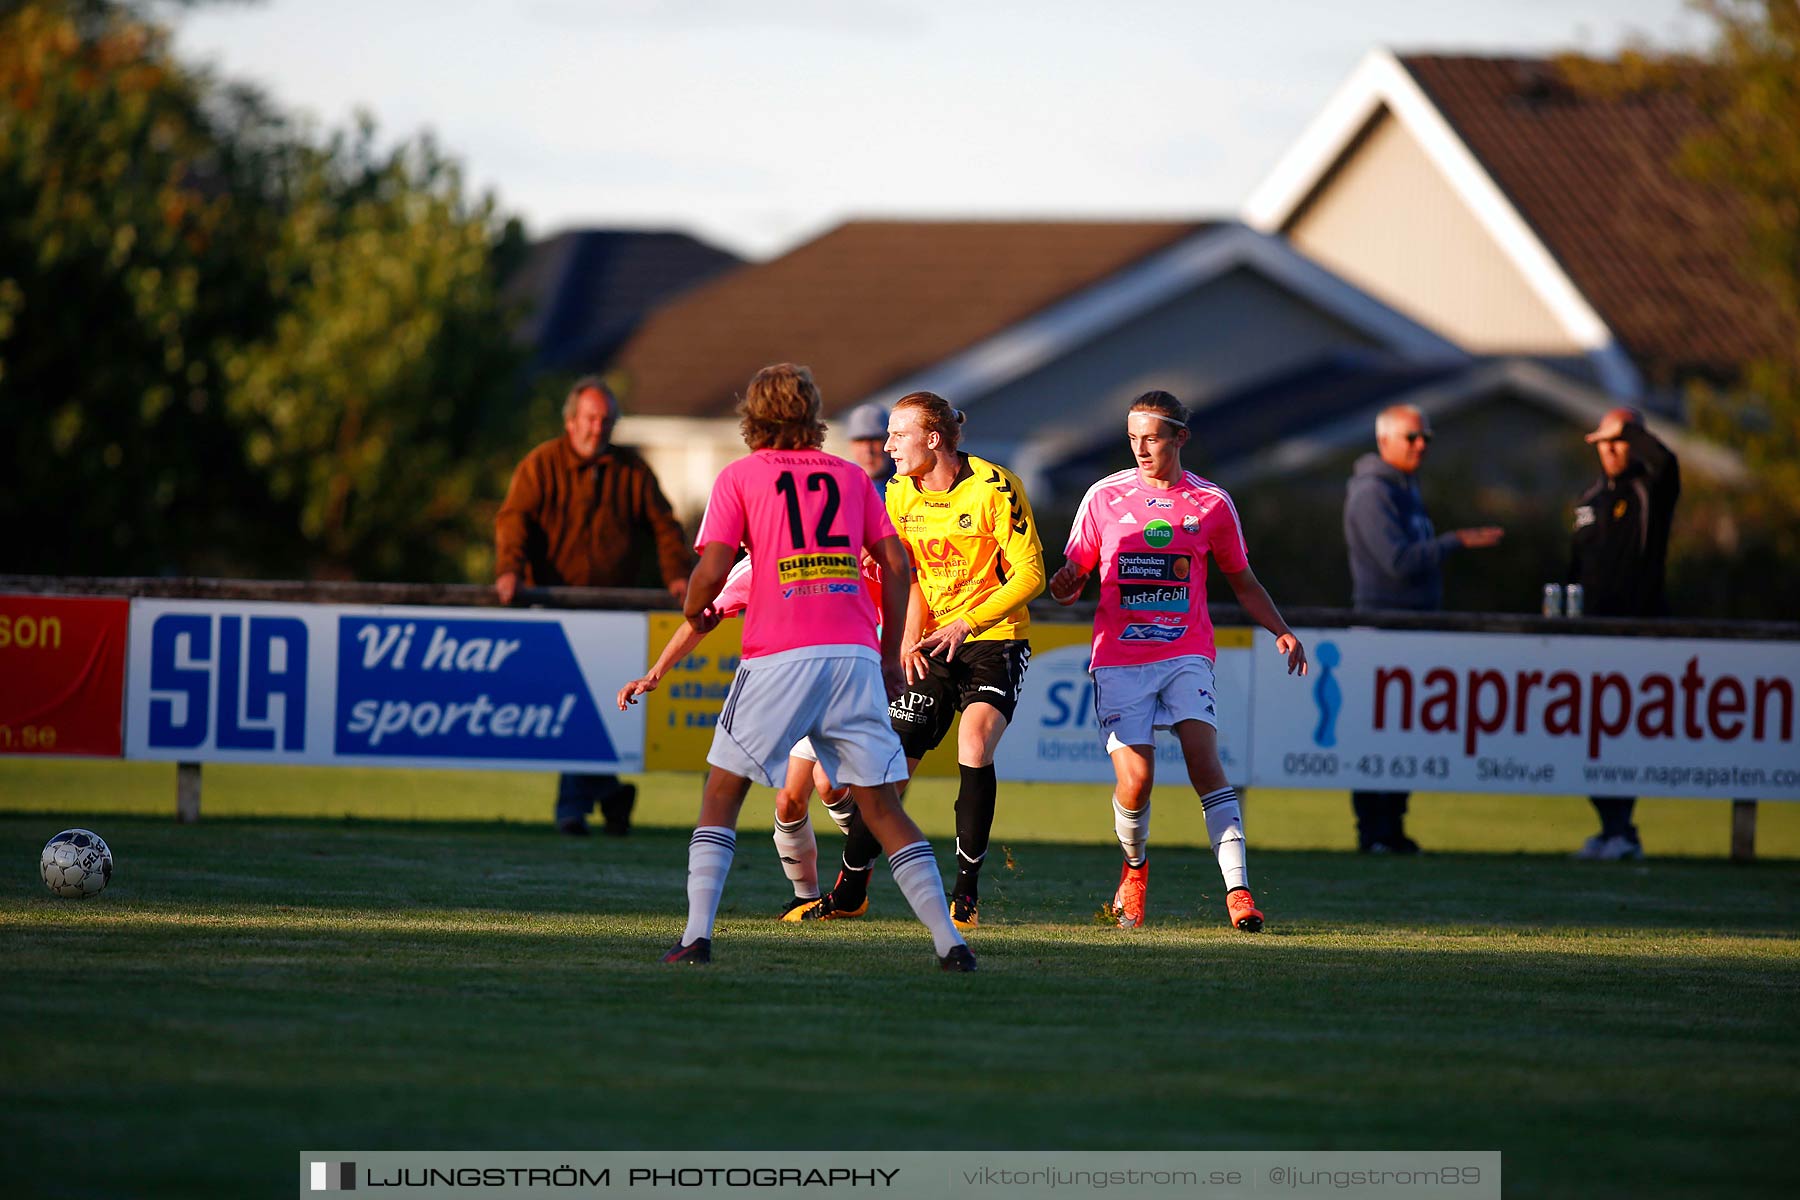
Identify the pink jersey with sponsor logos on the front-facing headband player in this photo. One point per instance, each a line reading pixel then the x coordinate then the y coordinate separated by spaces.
pixel 1151 546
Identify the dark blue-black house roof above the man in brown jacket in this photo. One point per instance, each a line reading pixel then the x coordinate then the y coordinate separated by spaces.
pixel 586 291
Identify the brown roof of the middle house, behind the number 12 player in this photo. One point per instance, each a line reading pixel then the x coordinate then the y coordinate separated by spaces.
pixel 870 303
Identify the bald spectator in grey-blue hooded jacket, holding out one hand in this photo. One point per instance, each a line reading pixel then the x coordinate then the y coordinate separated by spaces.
pixel 1396 562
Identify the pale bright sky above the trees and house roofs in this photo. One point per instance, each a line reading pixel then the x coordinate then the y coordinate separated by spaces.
pixel 759 125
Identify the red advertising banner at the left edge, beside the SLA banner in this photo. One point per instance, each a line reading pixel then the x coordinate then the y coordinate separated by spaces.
pixel 62 676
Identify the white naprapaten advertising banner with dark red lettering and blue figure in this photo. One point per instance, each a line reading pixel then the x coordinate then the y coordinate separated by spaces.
pixel 1542 715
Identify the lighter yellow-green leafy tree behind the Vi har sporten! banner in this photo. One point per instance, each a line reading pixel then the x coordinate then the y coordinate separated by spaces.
pixel 377 406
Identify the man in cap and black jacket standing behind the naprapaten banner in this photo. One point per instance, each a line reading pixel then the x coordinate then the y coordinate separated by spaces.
pixel 1617 555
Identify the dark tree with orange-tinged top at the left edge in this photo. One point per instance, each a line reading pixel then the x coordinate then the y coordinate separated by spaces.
pixel 120 274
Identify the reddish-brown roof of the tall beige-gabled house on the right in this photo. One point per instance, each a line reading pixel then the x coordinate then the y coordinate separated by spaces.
pixel 1655 255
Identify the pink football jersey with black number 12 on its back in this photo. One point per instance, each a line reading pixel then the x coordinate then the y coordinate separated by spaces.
pixel 807 517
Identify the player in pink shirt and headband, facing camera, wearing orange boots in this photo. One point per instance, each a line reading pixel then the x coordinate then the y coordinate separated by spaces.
pixel 1149 532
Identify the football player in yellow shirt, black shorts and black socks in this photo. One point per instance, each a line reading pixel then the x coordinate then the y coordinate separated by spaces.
pixel 976 564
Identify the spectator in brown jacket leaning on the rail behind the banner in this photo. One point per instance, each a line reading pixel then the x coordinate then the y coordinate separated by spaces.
pixel 588 514
